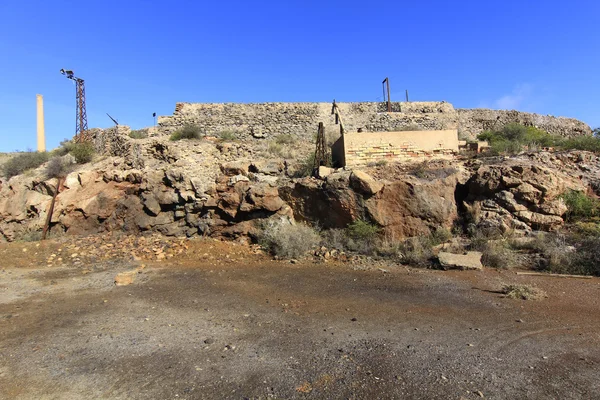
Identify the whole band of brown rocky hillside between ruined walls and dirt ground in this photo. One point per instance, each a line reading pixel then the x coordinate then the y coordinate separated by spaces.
pixel 217 188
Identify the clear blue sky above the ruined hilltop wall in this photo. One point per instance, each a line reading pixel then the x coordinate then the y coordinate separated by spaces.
pixel 140 57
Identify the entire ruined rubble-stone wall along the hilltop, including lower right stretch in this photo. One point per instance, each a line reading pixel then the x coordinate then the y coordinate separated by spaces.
pixel 266 120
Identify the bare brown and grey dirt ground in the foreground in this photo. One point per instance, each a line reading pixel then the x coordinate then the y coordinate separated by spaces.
pixel 217 321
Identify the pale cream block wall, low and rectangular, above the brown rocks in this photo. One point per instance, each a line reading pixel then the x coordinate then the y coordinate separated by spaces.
pixel 371 147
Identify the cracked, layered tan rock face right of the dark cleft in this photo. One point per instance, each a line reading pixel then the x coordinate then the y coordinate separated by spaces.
pixel 519 196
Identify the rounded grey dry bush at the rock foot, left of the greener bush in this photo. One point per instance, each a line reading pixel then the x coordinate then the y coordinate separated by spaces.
pixel 287 240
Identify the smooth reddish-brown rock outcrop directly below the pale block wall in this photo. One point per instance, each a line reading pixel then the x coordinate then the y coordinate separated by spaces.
pixel 406 207
